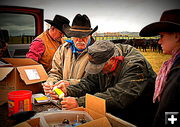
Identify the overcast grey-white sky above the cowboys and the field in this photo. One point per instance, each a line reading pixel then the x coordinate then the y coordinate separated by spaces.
pixel 109 15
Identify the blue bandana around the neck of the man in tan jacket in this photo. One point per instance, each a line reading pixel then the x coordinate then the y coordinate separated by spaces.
pixel 74 48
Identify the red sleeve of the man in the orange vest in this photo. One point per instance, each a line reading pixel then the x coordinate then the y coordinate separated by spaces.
pixel 36 50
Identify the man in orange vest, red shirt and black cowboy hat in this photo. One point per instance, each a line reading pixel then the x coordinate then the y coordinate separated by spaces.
pixel 44 46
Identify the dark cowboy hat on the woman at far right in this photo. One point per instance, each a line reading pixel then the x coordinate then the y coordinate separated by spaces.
pixel 169 22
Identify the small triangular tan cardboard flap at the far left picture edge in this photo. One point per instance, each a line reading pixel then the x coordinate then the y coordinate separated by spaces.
pixel 5 71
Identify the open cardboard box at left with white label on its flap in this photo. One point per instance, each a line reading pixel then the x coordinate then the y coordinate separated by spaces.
pixel 24 74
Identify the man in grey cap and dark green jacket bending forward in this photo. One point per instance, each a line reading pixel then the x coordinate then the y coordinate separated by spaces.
pixel 122 76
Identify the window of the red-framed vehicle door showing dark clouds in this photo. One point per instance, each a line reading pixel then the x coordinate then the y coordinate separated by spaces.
pixel 21 27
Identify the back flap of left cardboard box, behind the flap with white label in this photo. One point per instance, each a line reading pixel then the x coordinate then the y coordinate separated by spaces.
pixel 20 61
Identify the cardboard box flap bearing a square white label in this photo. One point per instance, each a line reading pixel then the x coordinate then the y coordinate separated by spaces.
pixel 32 74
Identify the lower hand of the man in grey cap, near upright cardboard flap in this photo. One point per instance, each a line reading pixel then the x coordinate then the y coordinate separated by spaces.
pixel 69 103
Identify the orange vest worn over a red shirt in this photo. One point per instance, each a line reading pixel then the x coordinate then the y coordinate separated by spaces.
pixel 50 48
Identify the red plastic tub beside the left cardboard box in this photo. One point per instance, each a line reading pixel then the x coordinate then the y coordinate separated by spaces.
pixel 19 101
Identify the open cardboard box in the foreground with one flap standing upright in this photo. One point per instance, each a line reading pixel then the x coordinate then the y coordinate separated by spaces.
pixel 95 107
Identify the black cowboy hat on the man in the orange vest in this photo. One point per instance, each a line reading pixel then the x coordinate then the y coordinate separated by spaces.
pixel 58 22
